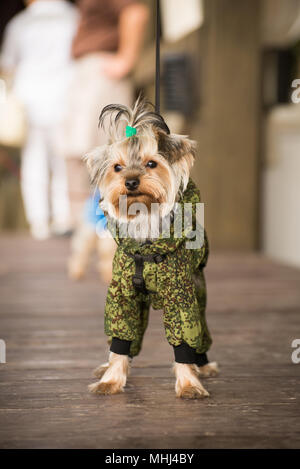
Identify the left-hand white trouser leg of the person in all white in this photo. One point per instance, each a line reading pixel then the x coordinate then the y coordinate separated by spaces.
pixel 34 183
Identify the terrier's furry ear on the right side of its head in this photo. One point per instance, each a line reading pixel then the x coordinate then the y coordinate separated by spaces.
pixel 174 147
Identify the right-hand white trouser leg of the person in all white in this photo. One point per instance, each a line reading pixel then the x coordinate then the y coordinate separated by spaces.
pixel 60 205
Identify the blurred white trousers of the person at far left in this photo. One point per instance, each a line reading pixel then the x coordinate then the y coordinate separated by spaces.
pixel 44 179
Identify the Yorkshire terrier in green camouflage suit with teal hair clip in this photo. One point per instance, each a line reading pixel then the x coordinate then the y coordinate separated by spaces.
pixel 143 174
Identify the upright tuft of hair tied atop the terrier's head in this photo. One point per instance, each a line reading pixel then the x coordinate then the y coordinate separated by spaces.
pixel 140 116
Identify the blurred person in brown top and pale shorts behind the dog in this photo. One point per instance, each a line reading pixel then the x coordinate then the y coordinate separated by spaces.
pixel 106 49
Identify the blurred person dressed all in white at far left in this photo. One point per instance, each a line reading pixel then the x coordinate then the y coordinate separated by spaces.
pixel 37 53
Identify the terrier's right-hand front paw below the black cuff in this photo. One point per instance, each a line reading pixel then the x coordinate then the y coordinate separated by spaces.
pixel 187 383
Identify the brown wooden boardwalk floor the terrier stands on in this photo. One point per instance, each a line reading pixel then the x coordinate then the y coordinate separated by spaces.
pixel 54 338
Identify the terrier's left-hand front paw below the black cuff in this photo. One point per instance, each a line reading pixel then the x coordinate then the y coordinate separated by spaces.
pixel 114 378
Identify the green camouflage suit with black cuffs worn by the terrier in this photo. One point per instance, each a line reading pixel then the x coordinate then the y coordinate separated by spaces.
pixel 173 281
